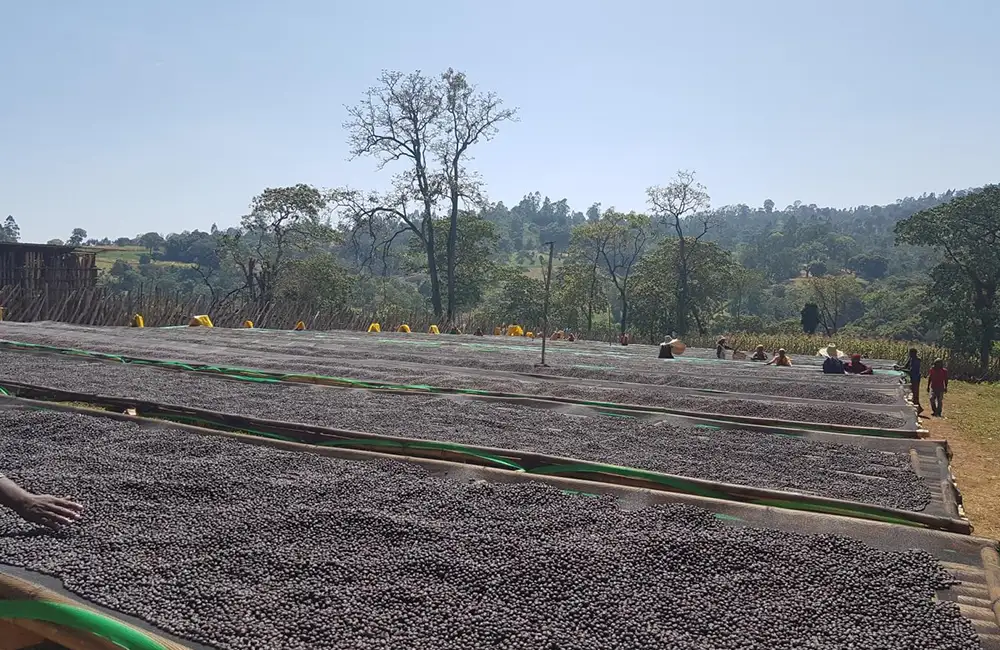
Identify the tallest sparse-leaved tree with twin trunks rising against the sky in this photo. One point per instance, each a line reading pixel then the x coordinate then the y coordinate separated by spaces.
pixel 429 124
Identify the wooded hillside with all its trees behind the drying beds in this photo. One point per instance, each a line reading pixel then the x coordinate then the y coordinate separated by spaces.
pixel 919 269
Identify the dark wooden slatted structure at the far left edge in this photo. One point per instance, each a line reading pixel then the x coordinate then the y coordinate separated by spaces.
pixel 37 267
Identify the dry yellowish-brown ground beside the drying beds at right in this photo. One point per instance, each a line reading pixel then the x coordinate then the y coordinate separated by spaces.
pixel 971 425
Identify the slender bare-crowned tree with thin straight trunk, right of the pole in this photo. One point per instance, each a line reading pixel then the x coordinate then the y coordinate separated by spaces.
pixel 682 205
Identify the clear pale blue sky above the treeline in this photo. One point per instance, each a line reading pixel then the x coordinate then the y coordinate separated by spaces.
pixel 125 116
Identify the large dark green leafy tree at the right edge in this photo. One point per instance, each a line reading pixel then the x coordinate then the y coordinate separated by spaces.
pixel 966 232
